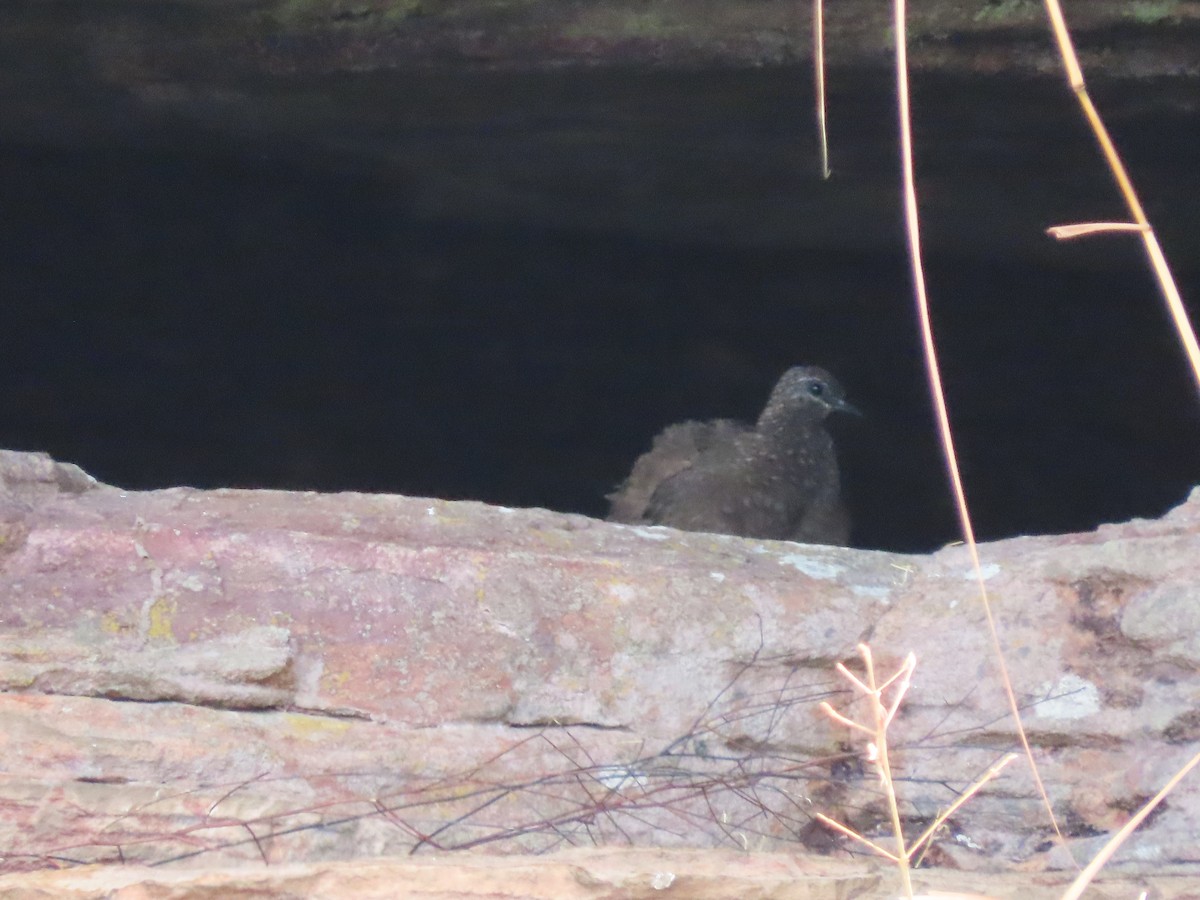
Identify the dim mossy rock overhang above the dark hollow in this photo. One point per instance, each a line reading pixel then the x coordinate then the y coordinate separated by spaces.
pixel 152 49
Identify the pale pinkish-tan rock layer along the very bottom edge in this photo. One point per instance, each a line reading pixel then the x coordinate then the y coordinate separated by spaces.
pixel 572 875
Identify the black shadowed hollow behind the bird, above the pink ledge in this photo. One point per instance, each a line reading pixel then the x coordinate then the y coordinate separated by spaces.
pixel 501 286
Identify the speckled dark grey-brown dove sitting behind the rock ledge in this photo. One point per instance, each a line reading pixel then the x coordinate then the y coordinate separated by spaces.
pixel 778 479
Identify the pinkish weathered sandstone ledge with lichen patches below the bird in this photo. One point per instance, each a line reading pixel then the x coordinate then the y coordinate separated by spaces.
pixel 220 680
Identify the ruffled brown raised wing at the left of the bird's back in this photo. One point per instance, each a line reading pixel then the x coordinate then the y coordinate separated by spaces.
pixel 676 449
